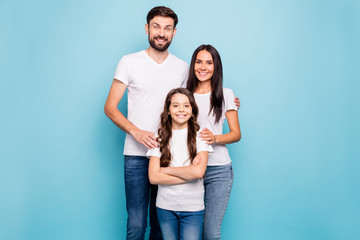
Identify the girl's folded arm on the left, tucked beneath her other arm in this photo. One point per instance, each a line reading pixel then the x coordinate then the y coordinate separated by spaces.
pixel 157 177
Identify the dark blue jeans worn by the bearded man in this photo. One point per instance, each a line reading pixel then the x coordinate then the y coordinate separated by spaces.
pixel 137 190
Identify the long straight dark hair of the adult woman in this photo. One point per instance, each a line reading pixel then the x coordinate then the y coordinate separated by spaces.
pixel 217 95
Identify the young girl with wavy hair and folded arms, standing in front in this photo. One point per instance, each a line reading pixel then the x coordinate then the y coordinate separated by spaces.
pixel 173 166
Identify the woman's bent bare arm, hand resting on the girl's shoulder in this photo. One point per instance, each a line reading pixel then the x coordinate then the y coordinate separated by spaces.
pixel 233 136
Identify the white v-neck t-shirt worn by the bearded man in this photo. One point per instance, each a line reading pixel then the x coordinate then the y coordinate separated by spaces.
pixel 148 83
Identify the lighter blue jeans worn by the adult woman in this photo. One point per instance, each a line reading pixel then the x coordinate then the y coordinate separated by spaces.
pixel 217 182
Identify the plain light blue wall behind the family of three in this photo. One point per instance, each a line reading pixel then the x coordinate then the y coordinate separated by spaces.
pixel 294 65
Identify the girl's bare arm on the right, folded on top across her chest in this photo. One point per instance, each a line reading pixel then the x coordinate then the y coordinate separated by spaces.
pixel 191 172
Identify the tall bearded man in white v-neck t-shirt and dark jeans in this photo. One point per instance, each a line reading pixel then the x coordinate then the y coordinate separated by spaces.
pixel 148 76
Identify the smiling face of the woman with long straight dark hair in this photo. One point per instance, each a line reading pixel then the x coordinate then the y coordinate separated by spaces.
pixel 204 66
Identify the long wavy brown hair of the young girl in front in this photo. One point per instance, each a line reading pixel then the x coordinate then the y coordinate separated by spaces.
pixel 165 129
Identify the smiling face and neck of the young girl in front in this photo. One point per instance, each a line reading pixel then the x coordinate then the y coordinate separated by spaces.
pixel 180 111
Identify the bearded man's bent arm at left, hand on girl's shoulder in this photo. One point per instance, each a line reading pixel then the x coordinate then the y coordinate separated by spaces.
pixel 116 93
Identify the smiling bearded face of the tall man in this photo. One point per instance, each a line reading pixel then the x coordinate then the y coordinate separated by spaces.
pixel 161 32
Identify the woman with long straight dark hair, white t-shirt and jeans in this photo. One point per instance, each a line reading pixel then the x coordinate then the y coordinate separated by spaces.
pixel 215 103
